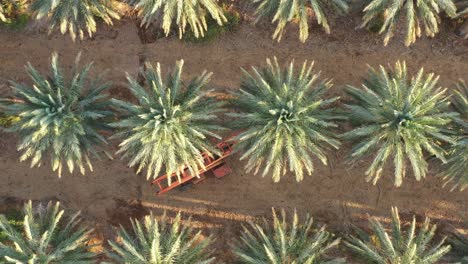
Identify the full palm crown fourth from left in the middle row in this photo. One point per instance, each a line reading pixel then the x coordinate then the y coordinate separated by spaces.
pixel 400 117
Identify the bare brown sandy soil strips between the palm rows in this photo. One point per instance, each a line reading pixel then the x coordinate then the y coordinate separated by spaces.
pixel 336 194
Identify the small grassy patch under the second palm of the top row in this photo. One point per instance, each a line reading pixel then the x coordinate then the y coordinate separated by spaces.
pixel 215 30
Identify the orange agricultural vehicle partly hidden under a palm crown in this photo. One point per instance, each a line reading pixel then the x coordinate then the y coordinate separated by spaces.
pixel 216 164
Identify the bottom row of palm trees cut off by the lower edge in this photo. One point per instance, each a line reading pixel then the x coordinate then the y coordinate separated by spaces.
pixel 46 234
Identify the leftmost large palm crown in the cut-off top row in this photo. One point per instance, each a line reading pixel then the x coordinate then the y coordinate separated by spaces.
pixel 75 16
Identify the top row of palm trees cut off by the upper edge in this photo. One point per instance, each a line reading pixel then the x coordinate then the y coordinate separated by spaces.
pixel 80 17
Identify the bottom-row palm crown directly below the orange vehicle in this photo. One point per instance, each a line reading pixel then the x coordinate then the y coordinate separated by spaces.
pixel 162 242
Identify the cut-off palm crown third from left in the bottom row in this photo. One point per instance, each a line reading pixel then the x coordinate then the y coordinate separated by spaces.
pixel 284 242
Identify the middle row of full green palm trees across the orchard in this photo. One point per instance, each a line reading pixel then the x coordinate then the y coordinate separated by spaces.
pixel 283 119
